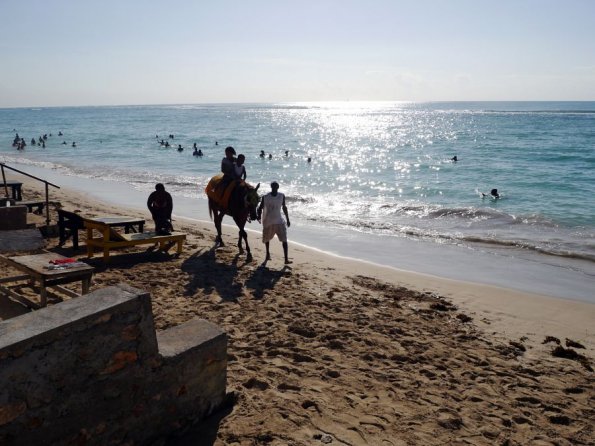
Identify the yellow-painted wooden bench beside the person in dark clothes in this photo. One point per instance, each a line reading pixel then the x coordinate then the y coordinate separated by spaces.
pixel 110 239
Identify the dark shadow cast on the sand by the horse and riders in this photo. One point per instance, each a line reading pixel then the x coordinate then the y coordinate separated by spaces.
pixel 211 275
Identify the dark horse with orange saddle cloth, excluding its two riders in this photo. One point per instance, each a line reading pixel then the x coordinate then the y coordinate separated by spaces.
pixel 242 208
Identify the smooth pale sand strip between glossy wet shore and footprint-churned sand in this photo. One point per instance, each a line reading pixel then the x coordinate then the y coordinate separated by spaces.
pixel 511 312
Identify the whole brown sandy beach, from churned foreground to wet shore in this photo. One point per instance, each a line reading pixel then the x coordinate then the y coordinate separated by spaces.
pixel 328 350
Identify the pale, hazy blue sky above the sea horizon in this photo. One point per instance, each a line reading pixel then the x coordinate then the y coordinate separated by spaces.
pixel 89 52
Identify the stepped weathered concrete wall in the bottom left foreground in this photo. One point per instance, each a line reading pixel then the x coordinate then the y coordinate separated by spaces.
pixel 92 370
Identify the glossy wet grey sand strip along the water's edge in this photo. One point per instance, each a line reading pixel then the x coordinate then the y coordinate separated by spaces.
pixel 506 268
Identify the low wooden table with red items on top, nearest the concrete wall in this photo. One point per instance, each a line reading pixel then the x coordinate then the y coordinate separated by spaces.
pixel 38 271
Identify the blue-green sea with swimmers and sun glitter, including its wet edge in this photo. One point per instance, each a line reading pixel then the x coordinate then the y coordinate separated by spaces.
pixel 381 177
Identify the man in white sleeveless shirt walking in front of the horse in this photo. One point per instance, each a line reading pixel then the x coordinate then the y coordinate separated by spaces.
pixel 272 221
